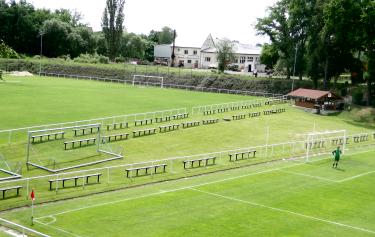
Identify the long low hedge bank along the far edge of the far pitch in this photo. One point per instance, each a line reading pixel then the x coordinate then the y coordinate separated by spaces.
pixel 212 80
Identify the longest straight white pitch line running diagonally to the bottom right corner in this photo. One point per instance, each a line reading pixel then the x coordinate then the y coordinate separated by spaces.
pixel 286 211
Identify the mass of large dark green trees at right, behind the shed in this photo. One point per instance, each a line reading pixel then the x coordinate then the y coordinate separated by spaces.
pixel 321 39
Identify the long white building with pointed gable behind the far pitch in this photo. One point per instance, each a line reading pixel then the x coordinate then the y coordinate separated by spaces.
pixel 247 56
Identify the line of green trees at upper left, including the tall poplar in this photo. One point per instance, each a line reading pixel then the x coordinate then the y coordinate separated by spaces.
pixel 64 35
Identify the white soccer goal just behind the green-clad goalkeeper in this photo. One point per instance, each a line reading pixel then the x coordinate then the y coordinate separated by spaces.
pixel 321 142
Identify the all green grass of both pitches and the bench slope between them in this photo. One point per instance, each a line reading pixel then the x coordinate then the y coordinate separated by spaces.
pixel 282 198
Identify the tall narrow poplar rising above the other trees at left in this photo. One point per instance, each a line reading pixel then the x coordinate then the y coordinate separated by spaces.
pixel 112 24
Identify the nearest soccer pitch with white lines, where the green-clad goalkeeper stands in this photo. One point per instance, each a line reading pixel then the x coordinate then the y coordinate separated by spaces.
pixel 284 198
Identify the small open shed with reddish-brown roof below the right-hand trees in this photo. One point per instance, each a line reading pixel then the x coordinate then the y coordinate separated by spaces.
pixel 316 99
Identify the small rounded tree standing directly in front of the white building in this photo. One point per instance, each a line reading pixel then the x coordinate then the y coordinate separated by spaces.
pixel 225 53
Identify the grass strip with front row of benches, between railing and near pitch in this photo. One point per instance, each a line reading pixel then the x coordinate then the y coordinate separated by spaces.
pixel 114 177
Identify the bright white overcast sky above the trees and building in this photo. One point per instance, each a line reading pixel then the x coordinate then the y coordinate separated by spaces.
pixel 192 19
